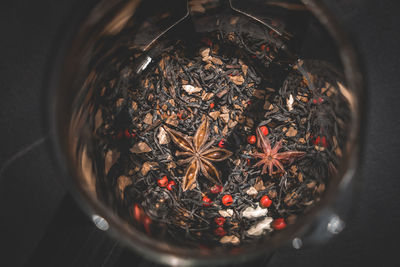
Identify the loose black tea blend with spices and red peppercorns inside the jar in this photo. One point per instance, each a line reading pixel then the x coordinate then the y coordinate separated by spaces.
pixel 223 139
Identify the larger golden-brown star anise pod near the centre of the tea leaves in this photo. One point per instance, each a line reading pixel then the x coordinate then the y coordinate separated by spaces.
pixel 199 155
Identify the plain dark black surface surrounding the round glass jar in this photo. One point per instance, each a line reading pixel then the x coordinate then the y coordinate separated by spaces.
pixel 40 224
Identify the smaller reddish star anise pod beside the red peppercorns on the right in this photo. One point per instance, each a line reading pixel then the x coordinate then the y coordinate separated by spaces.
pixel 270 156
